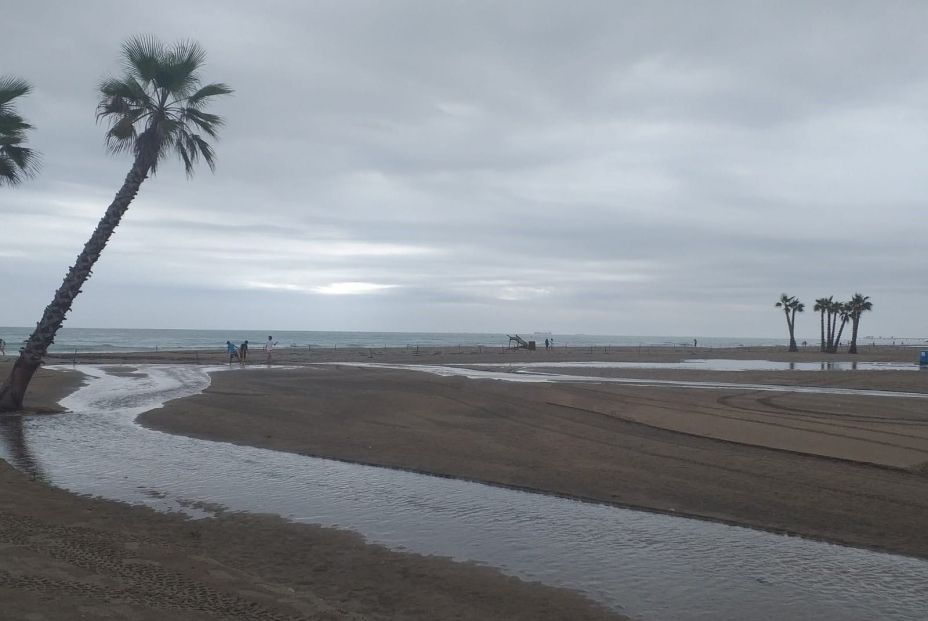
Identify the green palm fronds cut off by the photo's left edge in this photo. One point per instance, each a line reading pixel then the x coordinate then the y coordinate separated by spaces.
pixel 16 161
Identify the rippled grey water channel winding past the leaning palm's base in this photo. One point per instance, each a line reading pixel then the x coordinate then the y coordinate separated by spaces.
pixel 647 565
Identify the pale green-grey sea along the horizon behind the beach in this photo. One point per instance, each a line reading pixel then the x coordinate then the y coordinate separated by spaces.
pixel 88 340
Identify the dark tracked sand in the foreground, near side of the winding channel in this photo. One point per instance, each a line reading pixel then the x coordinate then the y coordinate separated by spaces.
pixel 64 557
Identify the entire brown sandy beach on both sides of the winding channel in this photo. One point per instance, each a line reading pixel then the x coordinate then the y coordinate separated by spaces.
pixel 844 468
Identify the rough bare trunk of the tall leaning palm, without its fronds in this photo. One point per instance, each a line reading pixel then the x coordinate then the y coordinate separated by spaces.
pixel 30 356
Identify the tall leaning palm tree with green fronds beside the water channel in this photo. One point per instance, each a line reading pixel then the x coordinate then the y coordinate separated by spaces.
pixel 155 109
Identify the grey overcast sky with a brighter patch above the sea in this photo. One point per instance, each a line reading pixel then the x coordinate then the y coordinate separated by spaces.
pixel 640 168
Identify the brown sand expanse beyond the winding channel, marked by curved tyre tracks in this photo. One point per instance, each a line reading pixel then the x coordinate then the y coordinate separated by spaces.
pixel 848 469
